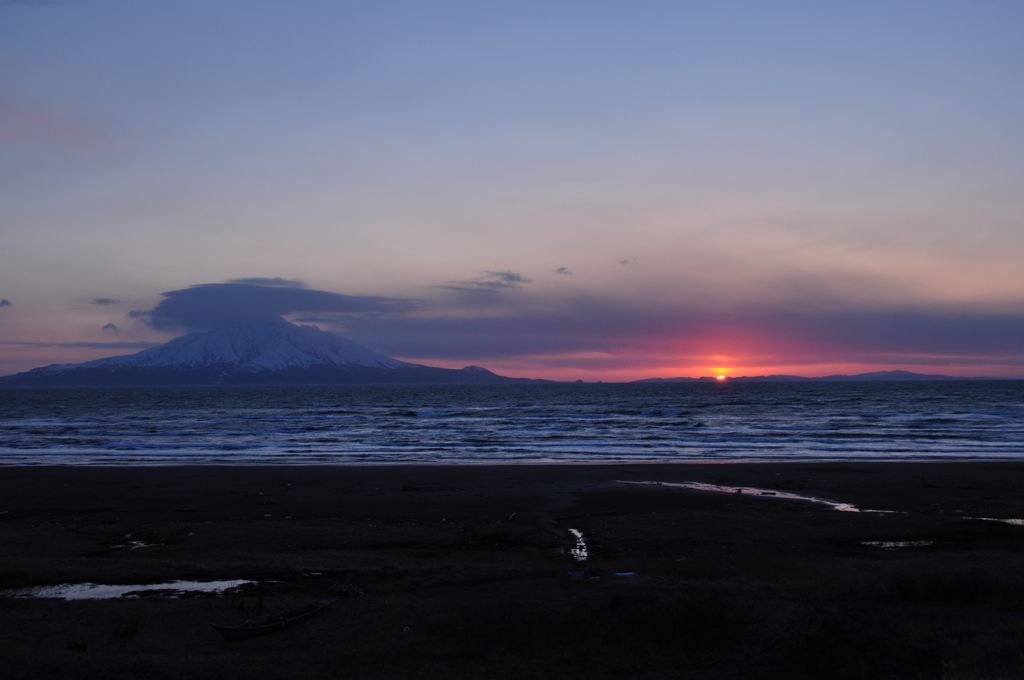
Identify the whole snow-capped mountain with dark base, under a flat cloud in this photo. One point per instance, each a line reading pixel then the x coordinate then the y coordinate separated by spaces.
pixel 257 352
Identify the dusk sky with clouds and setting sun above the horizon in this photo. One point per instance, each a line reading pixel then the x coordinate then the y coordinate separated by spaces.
pixel 598 191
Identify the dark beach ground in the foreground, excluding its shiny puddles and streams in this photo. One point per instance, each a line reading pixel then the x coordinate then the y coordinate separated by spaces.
pixel 465 572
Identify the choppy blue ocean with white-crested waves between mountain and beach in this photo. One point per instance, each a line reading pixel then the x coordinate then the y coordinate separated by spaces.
pixel 536 423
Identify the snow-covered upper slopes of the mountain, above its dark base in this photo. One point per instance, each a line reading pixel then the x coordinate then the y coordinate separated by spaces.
pixel 252 347
